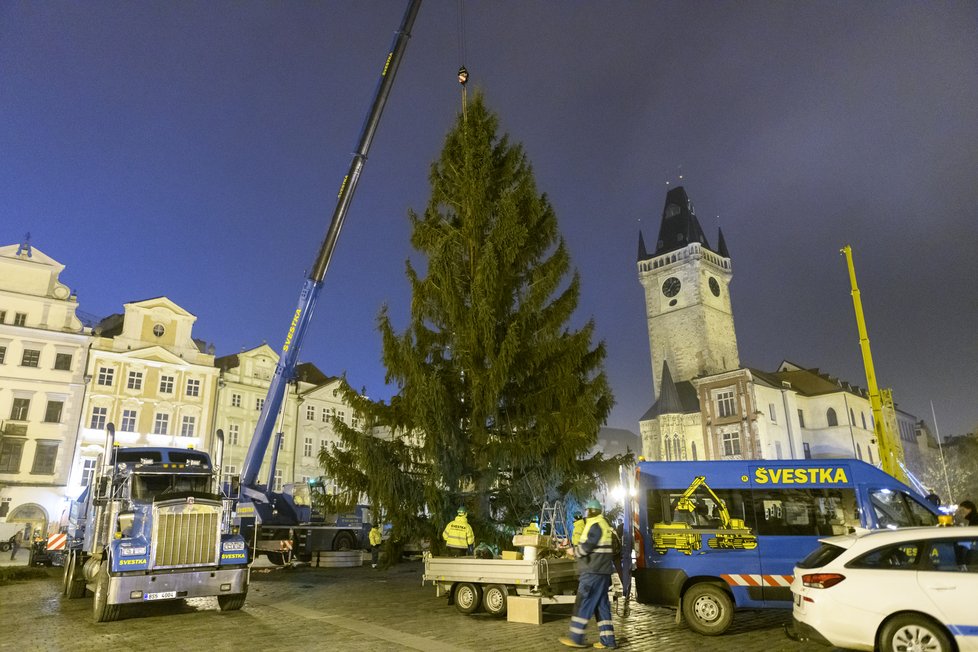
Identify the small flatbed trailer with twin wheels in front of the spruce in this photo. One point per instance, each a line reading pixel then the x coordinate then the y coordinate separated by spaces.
pixel 471 583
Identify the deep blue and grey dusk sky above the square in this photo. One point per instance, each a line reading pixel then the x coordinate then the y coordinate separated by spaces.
pixel 194 150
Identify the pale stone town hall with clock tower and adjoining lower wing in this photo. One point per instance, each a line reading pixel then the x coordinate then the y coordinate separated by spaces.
pixel 708 406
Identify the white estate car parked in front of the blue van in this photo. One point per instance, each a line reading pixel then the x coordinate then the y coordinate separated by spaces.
pixel 912 589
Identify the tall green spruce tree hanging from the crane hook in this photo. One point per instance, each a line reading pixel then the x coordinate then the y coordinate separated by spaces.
pixel 499 399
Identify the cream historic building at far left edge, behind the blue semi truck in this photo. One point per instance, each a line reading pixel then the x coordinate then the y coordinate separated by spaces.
pixel 43 349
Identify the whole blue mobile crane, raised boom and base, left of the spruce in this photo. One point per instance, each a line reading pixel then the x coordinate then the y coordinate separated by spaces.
pixel 276 523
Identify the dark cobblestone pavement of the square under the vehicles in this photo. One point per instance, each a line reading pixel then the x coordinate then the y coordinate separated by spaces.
pixel 350 608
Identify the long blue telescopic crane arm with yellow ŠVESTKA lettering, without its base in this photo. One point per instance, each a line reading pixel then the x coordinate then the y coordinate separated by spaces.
pixel 285 370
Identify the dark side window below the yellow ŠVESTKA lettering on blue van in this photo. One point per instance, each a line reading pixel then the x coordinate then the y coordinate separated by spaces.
pixel 805 512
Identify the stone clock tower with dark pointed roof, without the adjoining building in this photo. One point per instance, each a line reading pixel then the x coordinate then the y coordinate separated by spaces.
pixel 687 298
